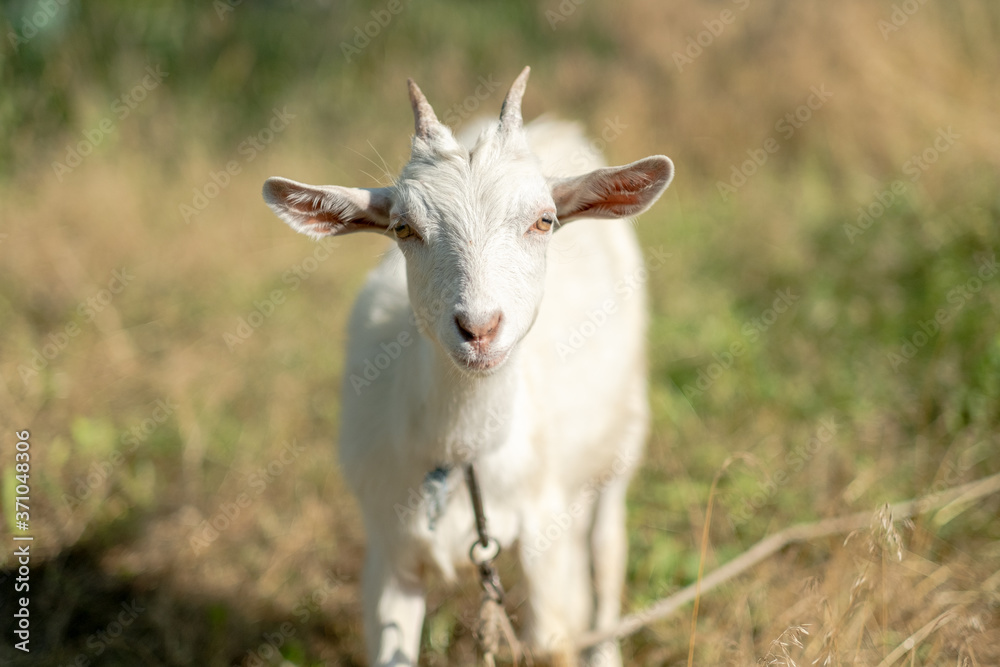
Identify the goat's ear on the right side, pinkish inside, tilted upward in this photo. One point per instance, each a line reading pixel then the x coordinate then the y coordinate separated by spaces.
pixel 613 192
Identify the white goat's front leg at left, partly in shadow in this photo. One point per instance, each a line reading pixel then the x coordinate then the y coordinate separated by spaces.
pixel 394 607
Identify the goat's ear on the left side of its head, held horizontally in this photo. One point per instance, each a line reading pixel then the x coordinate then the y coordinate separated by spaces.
pixel 324 210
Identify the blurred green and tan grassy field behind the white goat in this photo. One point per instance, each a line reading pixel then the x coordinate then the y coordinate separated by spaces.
pixel 830 307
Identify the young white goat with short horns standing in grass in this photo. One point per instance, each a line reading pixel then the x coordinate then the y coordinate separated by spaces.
pixel 460 350
